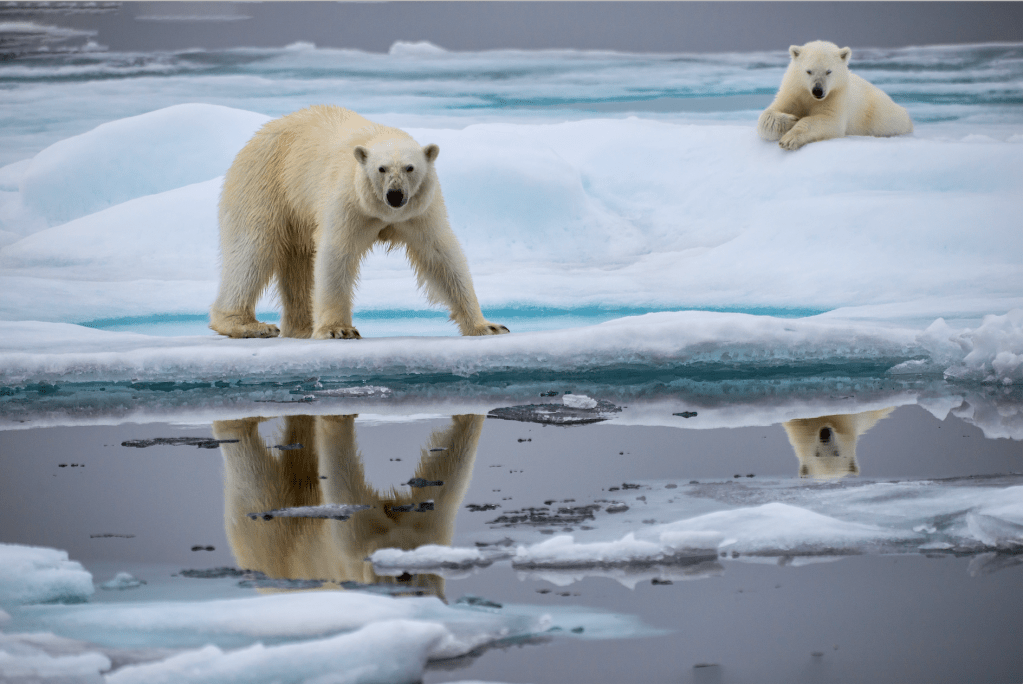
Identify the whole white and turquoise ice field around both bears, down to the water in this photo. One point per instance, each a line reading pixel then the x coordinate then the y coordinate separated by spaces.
pixel 574 205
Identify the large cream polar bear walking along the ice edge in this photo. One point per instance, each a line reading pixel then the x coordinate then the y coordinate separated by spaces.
pixel 304 202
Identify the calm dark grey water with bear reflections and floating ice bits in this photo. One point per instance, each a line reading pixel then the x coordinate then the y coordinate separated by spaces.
pixel 160 510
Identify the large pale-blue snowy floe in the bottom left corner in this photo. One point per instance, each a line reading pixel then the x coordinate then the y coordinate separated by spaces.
pixel 333 636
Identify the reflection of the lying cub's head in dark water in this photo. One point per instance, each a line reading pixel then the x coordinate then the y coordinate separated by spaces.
pixel 827 446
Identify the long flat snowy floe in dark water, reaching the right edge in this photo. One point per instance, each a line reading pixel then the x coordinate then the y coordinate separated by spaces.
pixel 806 525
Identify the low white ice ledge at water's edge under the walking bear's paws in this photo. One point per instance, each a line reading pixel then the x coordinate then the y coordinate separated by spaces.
pixel 36 352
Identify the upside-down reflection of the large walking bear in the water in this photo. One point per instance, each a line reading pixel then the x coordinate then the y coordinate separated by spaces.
pixel 260 479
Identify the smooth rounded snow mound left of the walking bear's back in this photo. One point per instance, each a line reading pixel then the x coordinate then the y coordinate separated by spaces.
pixel 136 157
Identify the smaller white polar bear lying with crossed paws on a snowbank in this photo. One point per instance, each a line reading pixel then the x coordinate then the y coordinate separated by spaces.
pixel 821 99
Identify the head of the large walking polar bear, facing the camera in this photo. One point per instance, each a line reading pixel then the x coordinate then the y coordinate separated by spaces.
pixel 399 175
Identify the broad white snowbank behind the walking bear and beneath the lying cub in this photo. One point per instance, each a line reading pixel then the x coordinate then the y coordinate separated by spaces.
pixel 724 223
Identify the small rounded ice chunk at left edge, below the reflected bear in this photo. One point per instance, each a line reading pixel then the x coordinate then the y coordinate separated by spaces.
pixel 39 575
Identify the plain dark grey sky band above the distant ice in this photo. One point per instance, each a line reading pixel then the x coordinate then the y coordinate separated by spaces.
pixel 636 27
